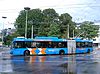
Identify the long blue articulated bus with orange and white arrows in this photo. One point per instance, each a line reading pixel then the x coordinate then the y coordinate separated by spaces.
pixel 49 46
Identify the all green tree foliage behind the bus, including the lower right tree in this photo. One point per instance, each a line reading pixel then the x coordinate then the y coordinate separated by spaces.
pixel 49 23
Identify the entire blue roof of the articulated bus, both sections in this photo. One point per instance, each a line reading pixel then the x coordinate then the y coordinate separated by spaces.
pixel 49 39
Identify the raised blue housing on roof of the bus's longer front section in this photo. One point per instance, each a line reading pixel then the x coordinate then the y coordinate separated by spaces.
pixel 48 39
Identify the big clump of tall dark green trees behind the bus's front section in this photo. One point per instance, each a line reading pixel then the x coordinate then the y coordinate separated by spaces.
pixel 46 22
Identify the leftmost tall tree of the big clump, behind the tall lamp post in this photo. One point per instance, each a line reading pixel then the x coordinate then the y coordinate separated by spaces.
pixel 34 15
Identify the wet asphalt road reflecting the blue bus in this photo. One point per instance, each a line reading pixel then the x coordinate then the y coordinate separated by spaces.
pixel 52 64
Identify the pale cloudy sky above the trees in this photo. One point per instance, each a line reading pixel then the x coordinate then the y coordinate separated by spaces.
pixel 80 10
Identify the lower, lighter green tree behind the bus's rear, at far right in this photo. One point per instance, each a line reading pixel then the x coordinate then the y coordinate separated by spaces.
pixel 88 30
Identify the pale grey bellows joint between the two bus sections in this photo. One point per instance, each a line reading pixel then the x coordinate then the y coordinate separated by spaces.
pixel 71 46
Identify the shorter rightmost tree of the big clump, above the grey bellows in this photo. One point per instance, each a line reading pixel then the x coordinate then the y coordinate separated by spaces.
pixel 65 21
